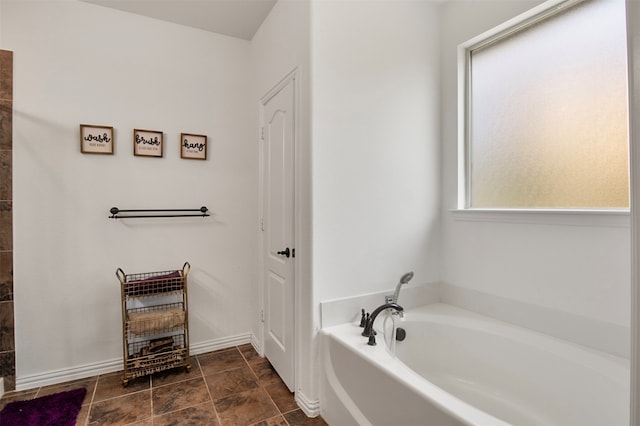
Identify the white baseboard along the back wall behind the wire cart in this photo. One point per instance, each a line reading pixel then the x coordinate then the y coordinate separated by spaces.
pixel 109 366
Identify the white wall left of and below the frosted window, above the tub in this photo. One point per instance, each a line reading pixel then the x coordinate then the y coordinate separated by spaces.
pixel 582 270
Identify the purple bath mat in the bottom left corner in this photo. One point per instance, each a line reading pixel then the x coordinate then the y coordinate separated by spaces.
pixel 60 409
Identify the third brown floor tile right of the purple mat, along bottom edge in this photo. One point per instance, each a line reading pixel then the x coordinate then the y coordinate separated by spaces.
pixel 245 408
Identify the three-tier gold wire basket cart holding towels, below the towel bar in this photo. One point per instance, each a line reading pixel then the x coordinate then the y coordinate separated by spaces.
pixel 155 321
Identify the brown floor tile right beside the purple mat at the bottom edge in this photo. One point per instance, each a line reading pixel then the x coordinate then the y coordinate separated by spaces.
pixel 121 410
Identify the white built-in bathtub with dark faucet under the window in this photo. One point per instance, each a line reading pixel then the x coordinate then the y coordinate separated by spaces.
pixel 460 368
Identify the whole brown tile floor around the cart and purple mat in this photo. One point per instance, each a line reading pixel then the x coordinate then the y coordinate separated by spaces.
pixel 230 387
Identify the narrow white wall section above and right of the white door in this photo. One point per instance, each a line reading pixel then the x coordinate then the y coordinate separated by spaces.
pixel 280 46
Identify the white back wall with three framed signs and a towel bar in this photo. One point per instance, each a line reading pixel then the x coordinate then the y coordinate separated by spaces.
pixel 79 63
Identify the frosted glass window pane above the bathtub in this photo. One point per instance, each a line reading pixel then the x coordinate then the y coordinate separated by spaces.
pixel 548 113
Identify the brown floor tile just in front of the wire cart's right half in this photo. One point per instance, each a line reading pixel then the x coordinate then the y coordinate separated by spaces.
pixel 178 396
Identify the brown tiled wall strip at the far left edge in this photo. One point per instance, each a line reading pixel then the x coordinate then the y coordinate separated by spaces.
pixel 7 345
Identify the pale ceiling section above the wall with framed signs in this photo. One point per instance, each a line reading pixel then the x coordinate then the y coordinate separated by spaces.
pixel 236 18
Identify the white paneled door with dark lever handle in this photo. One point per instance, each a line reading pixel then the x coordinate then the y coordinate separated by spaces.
pixel 278 224
